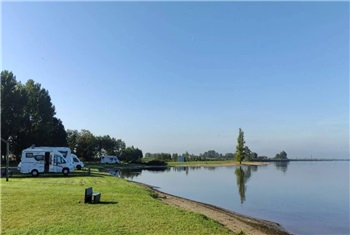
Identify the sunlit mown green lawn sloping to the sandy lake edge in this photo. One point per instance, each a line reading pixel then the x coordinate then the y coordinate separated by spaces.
pixel 53 204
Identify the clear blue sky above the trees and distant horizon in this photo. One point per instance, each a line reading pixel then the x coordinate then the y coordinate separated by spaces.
pixel 185 76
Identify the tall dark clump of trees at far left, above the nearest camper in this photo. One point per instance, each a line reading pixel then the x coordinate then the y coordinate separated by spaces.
pixel 28 115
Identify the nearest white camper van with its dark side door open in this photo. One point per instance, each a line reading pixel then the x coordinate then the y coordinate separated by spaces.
pixel 43 160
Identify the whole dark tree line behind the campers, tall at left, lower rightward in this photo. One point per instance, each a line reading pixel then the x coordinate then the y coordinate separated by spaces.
pixel 28 117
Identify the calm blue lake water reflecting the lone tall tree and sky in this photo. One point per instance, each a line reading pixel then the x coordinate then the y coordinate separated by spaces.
pixel 304 197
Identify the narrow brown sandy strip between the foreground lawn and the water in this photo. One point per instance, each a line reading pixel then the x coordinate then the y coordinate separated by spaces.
pixel 232 220
